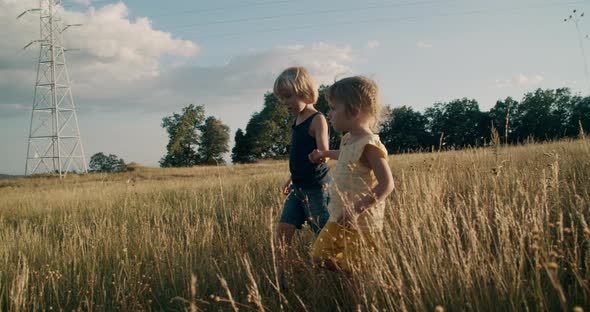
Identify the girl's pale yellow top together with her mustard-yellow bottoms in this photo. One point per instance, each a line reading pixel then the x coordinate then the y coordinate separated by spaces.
pixel 351 180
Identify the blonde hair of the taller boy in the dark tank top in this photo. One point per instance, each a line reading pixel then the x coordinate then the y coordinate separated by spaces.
pixel 297 81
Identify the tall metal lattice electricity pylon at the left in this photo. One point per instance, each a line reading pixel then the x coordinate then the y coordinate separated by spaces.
pixel 55 145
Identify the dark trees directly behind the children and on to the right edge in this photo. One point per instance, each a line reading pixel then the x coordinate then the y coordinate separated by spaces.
pixel 542 115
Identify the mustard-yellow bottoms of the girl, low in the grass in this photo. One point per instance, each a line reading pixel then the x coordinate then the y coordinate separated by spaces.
pixel 344 247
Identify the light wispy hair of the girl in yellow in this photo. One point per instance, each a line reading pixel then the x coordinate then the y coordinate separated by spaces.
pixel 358 92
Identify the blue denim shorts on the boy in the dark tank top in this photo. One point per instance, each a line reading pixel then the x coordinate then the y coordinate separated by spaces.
pixel 306 205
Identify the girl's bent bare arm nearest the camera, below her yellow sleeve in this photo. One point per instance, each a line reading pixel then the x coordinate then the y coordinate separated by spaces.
pixel 385 184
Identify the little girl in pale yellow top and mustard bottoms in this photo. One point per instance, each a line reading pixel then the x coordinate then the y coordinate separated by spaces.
pixel 361 179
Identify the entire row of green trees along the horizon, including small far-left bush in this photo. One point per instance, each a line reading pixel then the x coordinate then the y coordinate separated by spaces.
pixel 542 115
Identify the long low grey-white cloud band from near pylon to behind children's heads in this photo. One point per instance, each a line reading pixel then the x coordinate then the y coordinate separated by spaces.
pixel 243 79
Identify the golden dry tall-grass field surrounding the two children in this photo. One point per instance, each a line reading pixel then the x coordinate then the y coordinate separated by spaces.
pixel 496 229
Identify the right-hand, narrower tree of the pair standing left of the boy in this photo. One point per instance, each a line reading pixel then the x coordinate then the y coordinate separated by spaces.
pixel 214 142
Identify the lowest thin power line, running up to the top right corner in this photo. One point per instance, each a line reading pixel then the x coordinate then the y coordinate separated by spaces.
pixel 386 19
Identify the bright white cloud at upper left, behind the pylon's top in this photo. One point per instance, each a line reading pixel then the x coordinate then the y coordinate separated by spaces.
pixel 114 50
